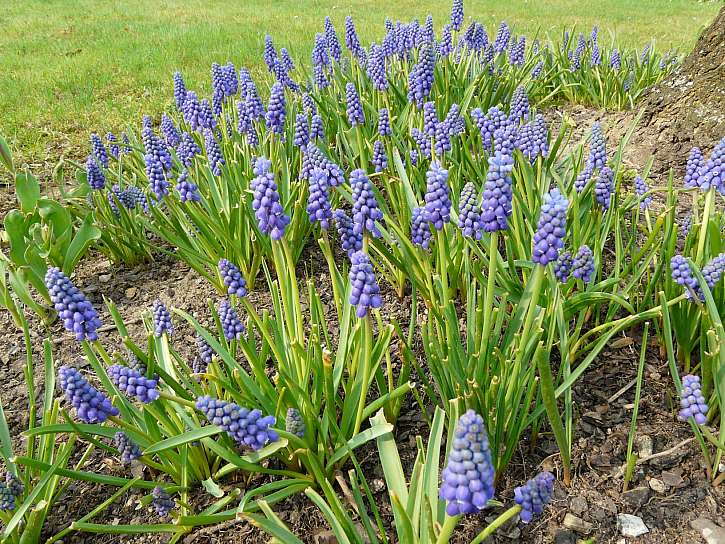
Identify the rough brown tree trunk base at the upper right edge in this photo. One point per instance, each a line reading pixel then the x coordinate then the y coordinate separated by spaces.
pixel 688 108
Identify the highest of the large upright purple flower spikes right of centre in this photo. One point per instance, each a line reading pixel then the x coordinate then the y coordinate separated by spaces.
pixel 497 194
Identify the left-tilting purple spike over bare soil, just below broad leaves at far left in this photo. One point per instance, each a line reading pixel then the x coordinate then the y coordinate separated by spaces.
pixel 77 313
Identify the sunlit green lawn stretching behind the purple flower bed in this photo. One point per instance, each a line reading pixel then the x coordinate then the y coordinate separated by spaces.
pixel 70 67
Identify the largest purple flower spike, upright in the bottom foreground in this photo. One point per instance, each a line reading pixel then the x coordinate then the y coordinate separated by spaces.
pixel 468 477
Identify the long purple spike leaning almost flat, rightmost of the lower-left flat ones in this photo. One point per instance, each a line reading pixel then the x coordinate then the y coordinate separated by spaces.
pixel 248 428
